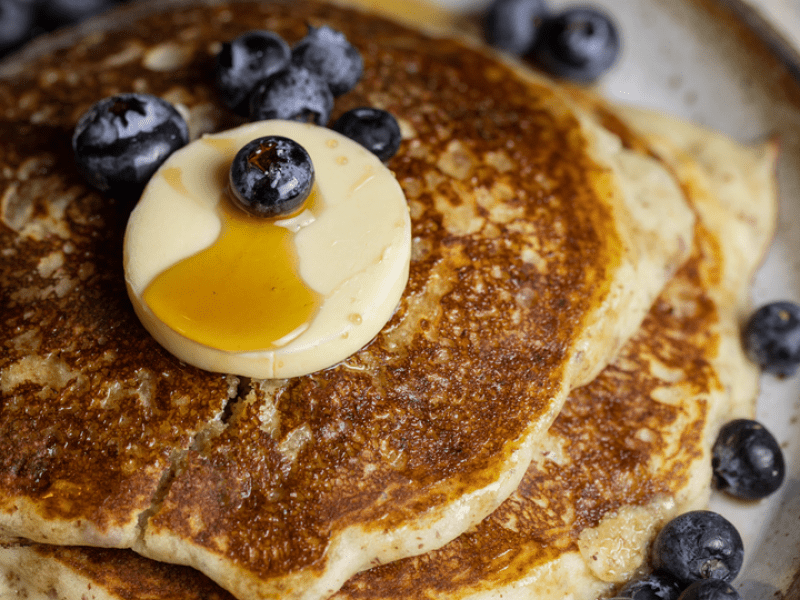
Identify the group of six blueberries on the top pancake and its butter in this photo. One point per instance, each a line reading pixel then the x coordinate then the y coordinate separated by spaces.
pixel 121 141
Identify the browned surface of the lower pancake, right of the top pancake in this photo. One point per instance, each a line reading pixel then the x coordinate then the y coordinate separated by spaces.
pixel 607 464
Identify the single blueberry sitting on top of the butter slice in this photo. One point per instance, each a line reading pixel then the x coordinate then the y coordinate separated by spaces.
pixel 271 176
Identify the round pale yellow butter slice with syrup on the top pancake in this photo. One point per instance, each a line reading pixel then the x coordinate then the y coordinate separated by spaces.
pixel 345 256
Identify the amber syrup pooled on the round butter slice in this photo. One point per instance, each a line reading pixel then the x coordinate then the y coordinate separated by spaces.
pixel 243 293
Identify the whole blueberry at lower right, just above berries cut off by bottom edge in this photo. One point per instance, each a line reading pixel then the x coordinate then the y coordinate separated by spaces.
pixel 699 545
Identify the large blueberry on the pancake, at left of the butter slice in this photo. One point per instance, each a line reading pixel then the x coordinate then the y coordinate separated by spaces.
pixel 121 141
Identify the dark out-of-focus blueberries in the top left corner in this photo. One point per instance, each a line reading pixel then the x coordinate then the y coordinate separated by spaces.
pixel 22 20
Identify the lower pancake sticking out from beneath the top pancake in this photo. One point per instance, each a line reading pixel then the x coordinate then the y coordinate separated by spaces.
pixel 627 452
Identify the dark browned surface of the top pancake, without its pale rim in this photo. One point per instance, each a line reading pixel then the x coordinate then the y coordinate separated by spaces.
pixel 437 396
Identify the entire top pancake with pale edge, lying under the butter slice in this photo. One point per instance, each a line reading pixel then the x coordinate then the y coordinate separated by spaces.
pixel 540 242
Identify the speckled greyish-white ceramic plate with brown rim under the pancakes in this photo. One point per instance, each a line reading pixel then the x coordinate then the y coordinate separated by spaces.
pixel 721 64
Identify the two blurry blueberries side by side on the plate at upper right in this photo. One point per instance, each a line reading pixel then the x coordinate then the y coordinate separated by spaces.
pixel 579 43
